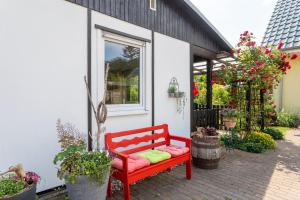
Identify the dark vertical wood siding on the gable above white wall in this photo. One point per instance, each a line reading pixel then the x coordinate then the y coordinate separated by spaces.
pixel 172 17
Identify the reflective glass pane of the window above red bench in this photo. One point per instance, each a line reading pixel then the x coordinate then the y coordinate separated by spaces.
pixel 124 75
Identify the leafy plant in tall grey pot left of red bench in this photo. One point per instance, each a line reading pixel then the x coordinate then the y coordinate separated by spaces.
pixel 86 173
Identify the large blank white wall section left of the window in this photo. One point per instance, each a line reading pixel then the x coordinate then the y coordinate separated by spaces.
pixel 42 64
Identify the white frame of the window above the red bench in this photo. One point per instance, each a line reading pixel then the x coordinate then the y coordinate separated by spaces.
pixel 124 109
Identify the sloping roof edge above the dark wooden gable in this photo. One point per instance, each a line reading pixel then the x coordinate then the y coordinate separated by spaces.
pixel 209 24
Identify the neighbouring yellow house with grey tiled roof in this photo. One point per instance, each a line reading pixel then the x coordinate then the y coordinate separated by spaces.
pixel 285 26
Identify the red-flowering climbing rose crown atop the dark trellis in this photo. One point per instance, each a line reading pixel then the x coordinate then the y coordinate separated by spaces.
pixel 263 66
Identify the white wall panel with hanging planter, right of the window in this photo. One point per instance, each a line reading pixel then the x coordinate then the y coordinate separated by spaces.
pixel 172 59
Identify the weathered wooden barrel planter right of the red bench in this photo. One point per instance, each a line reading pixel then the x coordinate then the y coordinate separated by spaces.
pixel 206 152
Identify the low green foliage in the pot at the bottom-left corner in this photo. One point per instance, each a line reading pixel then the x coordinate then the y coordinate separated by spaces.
pixel 10 187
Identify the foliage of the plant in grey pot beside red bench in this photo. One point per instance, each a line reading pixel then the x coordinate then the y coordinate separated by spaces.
pixel 74 160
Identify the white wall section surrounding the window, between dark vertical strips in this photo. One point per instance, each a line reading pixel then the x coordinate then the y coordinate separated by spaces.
pixel 125 120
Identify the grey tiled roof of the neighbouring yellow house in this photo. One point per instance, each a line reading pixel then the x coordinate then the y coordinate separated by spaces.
pixel 284 25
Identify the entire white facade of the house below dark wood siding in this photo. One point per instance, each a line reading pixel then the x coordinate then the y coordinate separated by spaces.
pixel 43 61
